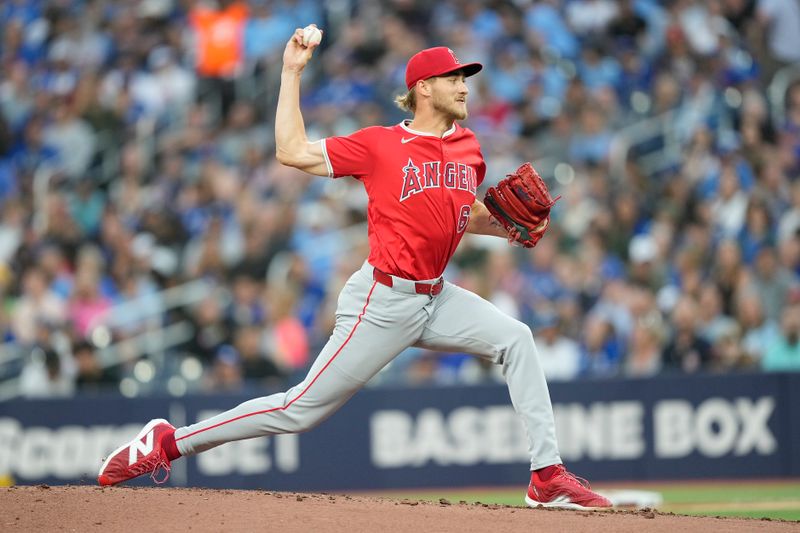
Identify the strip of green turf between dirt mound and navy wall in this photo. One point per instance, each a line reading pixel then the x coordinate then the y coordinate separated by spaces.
pixel 768 499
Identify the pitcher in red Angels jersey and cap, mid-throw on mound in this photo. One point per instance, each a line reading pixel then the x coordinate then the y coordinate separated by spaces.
pixel 421 178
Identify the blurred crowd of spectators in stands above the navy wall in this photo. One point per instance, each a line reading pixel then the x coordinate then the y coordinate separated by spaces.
pixel 137 156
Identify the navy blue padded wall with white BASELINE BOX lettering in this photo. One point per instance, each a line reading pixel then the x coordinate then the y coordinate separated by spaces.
pixel 656 429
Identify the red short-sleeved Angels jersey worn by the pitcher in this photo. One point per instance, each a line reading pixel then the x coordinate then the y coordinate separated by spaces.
pixel 420 187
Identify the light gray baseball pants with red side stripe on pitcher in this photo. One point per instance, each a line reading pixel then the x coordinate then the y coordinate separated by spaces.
pixel 374 323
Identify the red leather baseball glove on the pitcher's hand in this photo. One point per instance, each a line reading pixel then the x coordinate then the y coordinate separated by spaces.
pixel 521 203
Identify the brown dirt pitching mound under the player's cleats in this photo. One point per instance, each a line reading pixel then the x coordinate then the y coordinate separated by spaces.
pixel 124 509
